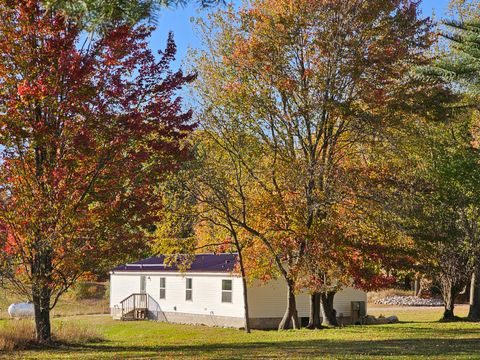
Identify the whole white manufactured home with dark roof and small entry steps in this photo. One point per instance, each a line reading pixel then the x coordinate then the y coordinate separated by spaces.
pixel 208 293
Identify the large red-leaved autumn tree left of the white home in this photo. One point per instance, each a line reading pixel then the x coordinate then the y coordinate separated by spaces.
pixel 87 131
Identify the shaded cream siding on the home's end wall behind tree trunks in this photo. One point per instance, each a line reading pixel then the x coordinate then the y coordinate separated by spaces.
pixel 270 300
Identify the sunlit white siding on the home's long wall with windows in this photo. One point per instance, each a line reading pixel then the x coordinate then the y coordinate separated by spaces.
pixel 207 292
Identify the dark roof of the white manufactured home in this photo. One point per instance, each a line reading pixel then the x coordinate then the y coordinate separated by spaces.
pixel 202 263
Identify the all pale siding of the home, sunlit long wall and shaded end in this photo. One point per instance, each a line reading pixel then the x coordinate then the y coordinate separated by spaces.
pixel 265 300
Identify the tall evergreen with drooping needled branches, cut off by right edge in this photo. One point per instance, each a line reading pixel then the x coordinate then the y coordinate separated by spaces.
pixel 460 66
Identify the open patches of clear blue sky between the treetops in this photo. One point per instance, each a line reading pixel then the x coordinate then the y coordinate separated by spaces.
pixel 178 21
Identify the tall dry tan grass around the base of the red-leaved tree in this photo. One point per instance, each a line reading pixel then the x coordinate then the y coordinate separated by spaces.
pixel 20 334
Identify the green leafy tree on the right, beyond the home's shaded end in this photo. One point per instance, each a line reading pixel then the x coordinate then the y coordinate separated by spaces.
pixel 433 196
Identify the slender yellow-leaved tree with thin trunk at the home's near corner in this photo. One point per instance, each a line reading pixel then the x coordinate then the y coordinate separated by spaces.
pixel 210 191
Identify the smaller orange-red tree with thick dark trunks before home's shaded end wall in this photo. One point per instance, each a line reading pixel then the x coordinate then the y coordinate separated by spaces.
pixel 358 244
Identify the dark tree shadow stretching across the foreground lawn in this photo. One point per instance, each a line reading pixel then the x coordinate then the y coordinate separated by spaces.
pixel 276 349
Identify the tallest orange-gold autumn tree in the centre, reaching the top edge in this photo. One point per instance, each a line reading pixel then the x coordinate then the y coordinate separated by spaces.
pixel 311 81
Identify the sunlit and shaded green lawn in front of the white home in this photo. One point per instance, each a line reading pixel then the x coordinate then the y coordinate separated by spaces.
pixel 417 336
